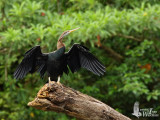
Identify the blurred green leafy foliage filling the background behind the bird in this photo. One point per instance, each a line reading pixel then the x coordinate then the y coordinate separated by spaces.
pixel 123 34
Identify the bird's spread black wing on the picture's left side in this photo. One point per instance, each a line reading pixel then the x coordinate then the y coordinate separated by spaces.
pixel 33 60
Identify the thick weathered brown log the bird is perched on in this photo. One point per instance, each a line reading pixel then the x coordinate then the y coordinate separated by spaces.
pixel 60 98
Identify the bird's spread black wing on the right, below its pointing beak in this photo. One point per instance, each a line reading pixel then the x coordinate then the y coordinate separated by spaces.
pixel 79 56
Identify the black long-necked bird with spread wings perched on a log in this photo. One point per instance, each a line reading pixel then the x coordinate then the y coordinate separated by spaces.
pixel 56 63
